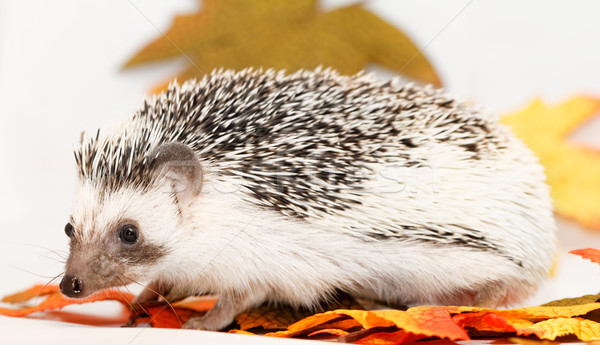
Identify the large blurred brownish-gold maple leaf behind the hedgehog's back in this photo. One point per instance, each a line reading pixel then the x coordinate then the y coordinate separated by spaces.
pixel 289 35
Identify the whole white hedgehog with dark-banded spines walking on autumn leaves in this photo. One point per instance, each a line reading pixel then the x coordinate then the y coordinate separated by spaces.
pixel 260 186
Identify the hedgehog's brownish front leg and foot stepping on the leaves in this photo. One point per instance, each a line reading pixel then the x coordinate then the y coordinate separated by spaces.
pixel 225 310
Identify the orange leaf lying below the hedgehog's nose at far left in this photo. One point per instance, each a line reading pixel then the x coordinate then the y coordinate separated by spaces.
pixel 55 300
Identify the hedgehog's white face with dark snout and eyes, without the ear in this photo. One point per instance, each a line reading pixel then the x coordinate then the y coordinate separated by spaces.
pixel 117 238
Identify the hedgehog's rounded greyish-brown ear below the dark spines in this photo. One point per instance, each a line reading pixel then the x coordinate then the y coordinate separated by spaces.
pixel 178 164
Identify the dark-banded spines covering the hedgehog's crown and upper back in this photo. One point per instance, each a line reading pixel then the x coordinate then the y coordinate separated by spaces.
pixel 254 124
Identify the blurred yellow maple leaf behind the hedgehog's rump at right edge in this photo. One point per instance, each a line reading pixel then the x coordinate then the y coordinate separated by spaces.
pixel 572 171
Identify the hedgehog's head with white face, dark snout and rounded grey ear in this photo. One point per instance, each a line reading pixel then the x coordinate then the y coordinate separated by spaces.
pixel 125 236
